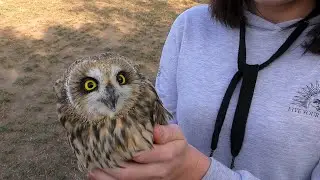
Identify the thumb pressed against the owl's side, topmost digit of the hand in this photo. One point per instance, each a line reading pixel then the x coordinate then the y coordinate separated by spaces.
pixel 168 133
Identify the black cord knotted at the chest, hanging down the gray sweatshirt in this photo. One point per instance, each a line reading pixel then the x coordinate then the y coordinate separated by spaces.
pixel 249 73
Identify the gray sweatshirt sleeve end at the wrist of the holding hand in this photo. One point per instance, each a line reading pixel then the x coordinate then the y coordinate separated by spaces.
pixel 219 171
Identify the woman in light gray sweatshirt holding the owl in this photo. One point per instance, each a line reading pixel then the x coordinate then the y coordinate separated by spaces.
pixel 265 127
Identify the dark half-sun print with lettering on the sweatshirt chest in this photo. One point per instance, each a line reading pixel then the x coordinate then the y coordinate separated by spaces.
pixel 307 101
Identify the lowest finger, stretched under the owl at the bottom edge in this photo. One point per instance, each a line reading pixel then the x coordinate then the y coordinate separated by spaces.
pixel 133 171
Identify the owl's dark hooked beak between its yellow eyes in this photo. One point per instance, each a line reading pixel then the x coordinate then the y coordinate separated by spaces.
pixel 111 98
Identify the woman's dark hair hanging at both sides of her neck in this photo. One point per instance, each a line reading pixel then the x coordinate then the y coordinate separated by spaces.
pixel 231 13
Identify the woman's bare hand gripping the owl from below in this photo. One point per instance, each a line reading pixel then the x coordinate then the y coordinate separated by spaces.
pixel 171 158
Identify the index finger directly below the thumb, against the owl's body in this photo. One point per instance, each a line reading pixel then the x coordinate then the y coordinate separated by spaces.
pixel 161 153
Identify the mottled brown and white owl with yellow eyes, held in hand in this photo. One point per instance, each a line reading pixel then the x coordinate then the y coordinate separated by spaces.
pixel 107 125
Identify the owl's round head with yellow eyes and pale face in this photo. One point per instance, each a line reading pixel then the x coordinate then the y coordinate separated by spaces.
pixel 100 87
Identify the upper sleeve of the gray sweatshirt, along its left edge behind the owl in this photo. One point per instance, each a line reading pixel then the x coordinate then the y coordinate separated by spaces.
pixel 166 85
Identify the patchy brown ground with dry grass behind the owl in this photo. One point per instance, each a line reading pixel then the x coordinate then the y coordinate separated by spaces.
pixel 38 40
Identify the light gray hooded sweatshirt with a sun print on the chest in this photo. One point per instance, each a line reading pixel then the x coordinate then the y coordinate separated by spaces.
pixel 282 136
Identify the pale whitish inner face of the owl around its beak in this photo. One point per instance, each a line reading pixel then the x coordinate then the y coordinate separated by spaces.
pixel 114 87
